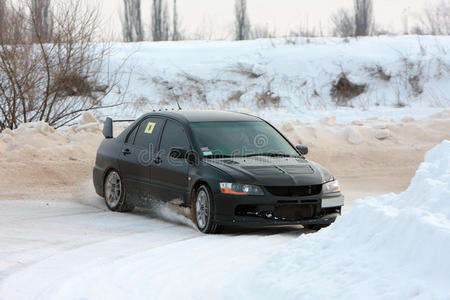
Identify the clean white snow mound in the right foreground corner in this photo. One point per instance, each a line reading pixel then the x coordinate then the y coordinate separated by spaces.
pixel 390 247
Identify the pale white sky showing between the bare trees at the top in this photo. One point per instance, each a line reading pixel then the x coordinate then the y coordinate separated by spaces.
pixel 214 18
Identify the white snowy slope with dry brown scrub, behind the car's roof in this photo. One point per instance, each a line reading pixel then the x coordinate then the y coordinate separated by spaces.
pixel 297 73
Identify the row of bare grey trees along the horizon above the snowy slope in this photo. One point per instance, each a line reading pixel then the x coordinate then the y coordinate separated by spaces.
pixel 165 24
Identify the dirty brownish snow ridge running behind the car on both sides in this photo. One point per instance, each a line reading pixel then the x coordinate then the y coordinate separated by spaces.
pixel 39 141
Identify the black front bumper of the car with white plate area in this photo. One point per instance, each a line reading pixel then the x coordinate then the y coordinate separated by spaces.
pixel 268 210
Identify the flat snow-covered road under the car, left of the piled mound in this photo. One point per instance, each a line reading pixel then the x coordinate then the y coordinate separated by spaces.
pixel 70 250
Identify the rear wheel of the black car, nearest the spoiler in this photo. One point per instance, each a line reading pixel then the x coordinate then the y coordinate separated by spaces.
pixel 115 193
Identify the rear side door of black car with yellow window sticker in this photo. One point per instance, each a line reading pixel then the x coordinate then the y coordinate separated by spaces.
pixel 137 156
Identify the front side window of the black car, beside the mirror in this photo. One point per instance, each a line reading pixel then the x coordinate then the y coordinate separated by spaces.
pixel 173 136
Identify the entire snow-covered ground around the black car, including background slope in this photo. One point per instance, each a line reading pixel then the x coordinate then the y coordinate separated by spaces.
pixel 389 147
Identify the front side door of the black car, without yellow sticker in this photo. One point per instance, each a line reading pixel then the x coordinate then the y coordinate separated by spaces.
pixel 169 178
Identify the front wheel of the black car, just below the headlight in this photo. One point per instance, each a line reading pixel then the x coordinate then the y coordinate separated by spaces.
pixel 202 208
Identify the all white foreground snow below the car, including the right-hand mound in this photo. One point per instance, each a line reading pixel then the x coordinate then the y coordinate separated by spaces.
pixel 390 247
